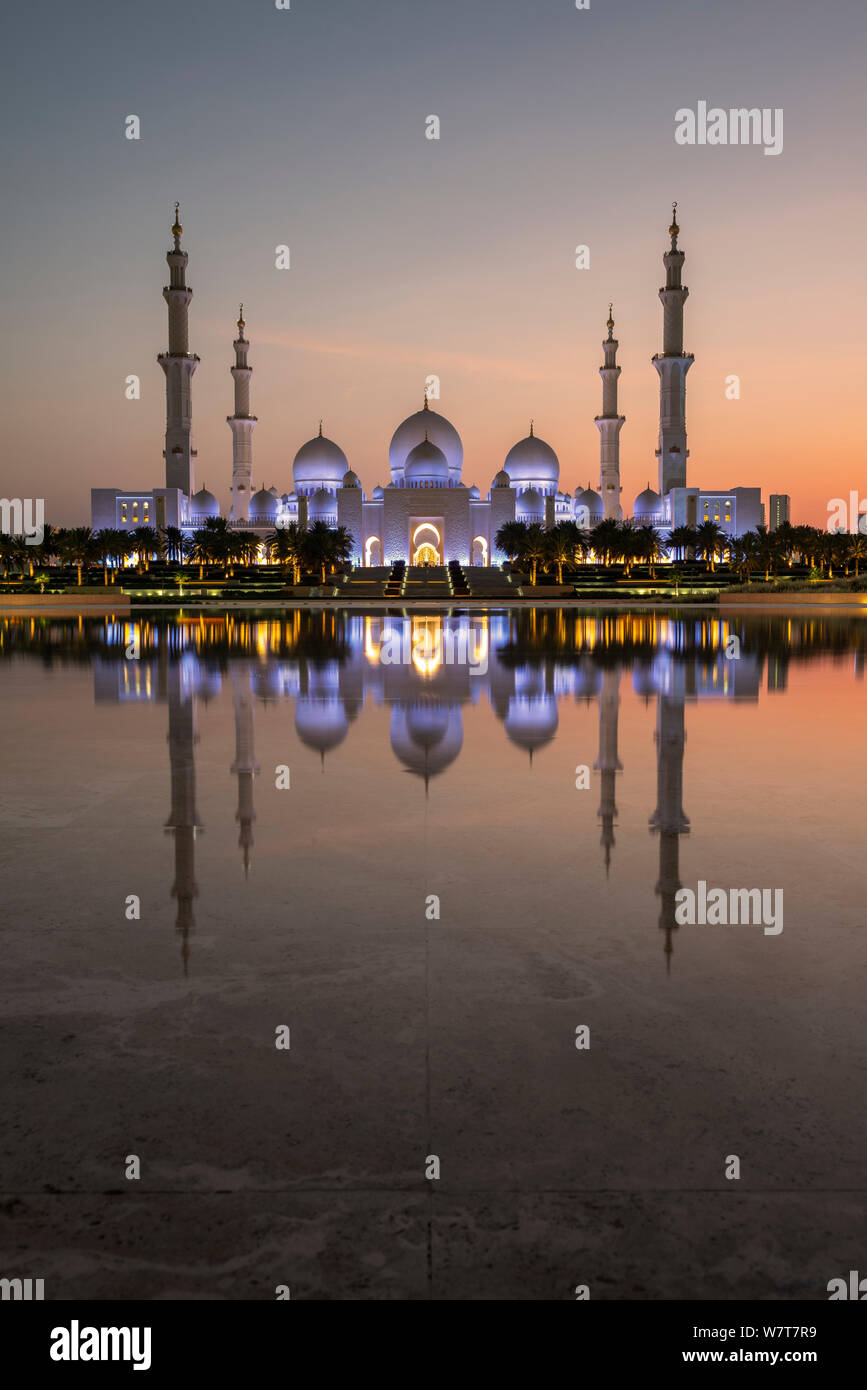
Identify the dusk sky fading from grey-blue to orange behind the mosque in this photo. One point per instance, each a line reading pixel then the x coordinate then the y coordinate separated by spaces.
pixel 409 258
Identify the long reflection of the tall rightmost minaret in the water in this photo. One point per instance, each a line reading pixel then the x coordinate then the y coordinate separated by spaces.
pixel 669 819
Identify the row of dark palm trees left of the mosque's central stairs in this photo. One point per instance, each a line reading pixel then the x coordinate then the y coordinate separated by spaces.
pixel 295 550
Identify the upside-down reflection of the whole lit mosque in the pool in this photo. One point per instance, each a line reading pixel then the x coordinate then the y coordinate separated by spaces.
pixel 523 680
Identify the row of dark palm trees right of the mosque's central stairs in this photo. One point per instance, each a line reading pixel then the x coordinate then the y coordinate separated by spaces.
pixel 627 544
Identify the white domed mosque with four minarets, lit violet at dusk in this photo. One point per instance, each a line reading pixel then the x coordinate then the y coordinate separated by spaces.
pixel 426 515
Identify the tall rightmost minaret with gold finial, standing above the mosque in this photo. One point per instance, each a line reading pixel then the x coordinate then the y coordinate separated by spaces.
pixel 673 365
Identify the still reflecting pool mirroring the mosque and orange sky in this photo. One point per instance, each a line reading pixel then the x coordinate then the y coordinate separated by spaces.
pixel 440 851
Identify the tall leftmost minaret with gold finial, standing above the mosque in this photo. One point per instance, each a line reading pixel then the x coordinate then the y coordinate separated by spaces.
pixel 179 365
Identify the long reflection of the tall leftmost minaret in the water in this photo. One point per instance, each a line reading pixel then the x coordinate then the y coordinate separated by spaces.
pixel 184 819
